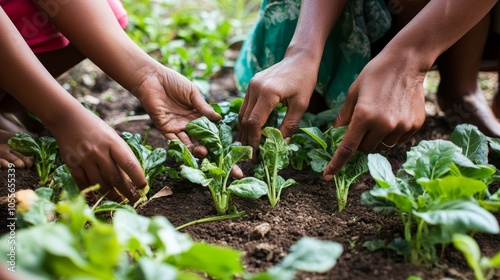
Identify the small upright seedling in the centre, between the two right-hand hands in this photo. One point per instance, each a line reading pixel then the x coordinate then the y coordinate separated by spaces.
pixel 273 156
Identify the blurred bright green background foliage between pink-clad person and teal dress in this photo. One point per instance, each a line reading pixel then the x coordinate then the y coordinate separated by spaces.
pixel 184 35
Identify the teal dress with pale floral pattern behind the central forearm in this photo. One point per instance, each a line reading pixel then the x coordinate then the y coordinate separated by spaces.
pixel 347 49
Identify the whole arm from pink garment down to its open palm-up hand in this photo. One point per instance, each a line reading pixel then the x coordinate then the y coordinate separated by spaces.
pixel 168 97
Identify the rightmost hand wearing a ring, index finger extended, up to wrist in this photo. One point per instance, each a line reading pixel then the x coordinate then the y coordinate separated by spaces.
pixel 385 104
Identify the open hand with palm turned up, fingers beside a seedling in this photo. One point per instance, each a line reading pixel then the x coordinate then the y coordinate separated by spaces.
pixel 172 101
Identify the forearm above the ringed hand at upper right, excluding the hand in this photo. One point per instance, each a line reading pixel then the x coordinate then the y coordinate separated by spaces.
pixel 434 29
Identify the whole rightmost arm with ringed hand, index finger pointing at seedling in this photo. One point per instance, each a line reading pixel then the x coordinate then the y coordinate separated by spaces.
pixel 385 104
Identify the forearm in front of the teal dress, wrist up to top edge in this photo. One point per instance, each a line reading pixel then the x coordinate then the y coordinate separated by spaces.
pixel 317 19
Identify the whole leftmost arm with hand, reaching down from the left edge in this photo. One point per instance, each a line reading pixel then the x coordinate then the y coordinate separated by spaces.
pixel 93 151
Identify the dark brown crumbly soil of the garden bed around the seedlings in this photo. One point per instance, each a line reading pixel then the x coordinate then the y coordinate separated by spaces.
pixel 308 209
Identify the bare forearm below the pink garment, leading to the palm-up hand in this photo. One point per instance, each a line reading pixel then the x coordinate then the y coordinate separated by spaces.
pixel 91 26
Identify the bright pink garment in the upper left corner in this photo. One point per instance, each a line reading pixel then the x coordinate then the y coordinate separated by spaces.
pixel 35 27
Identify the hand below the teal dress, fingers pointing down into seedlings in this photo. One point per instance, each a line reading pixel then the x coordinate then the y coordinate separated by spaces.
pixel 291 82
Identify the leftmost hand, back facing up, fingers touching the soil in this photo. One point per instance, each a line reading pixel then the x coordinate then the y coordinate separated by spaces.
pixel 95 153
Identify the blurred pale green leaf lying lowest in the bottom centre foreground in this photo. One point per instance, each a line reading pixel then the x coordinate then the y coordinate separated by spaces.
pixel 312 255
